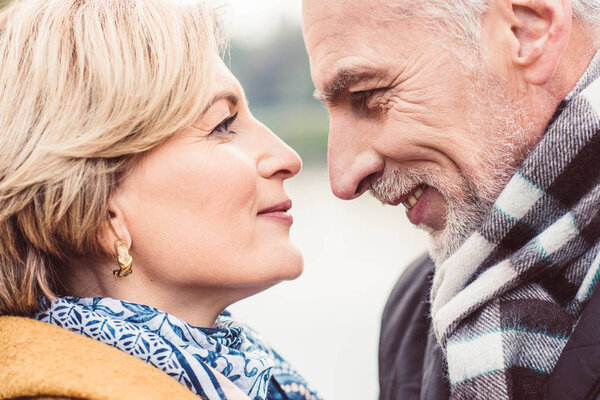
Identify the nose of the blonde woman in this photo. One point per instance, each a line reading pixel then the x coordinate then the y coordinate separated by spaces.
pixel 278 159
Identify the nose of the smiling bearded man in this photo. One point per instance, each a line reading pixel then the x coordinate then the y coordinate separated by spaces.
pixel 353 163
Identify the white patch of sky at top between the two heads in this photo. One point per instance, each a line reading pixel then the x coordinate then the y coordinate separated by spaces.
pixel 255 20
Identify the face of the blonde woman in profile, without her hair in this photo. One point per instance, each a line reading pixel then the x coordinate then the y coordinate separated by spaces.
pixel 207 210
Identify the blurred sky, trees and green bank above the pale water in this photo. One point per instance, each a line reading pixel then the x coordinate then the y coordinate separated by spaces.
pixel 267 55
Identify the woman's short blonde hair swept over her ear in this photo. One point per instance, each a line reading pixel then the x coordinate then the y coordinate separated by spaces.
pixel 87 86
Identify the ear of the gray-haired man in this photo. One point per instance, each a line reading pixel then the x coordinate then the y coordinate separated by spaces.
pixel 540 30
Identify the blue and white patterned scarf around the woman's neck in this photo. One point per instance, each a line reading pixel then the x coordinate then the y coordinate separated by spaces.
pixel 183 351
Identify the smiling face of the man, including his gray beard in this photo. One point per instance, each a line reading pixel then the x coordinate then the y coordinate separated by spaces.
pixel 409 121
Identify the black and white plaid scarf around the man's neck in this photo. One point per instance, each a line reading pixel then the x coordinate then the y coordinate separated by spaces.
pixel 505 304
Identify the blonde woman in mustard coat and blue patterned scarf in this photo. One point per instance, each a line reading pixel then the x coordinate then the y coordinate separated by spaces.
pixel 138 199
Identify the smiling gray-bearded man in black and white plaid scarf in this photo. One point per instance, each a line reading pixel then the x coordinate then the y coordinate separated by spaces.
pixel 481 117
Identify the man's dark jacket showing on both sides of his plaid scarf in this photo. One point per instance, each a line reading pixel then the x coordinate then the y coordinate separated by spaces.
pixel 411 364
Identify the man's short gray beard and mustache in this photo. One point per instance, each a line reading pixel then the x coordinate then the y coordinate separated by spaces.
pixel 469 195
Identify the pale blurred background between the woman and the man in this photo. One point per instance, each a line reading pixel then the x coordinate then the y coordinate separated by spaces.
pixel 326 323
